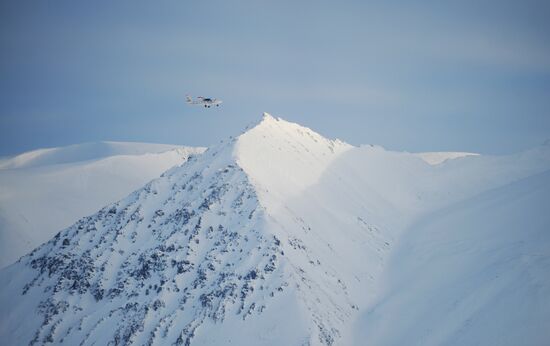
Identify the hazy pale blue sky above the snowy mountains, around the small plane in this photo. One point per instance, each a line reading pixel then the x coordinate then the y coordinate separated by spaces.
pixel 452 75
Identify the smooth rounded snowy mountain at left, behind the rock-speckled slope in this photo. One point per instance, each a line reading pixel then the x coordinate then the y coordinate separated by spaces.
pixel 46 190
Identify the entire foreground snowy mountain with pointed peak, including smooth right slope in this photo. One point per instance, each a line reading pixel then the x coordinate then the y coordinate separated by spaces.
pixel 282 237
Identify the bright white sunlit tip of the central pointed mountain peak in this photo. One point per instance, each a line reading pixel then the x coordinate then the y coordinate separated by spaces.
pixel 268 150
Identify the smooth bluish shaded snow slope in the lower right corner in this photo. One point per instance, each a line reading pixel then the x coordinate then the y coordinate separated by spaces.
pixel 475 273
